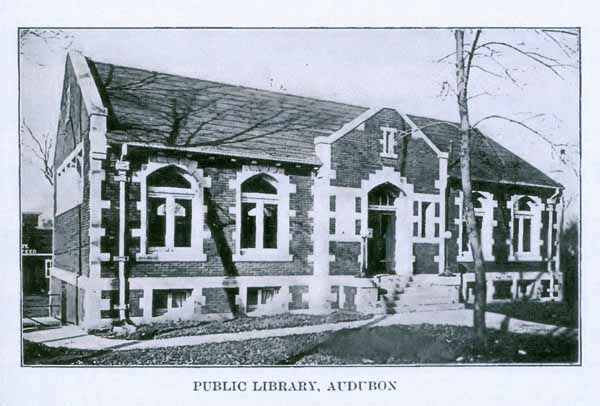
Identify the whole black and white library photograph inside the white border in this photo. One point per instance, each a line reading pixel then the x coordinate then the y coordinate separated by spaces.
pixel 300 197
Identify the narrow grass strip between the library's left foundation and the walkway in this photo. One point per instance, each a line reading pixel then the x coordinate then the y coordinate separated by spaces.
pixel 189 328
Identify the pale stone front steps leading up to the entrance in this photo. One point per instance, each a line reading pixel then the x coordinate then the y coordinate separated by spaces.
pixel 419 293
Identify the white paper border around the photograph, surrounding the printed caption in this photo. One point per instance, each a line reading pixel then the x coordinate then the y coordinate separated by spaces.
pixel 536 386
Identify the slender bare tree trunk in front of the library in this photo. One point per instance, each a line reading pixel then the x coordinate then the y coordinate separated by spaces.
pixel 468 207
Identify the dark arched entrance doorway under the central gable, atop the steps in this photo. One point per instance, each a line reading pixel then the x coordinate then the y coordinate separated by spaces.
pixel 382 245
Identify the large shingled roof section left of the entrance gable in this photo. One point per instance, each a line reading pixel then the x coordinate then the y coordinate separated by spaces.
pixel 174 111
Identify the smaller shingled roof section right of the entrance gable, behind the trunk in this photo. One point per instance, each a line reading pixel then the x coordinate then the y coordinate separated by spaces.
pixel 490 160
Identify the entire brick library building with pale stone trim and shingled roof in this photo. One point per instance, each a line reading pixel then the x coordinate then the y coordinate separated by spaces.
pixel 183 198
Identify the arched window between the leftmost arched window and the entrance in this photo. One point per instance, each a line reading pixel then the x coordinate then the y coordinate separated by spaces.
pixel 259 227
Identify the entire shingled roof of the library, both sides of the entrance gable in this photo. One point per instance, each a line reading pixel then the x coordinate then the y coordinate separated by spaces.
pixel 170 111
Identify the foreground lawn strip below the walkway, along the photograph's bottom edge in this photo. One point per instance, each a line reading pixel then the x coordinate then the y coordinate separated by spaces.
pixel 392 345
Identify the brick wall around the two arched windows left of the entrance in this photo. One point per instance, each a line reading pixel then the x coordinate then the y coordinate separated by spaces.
pixel 219 198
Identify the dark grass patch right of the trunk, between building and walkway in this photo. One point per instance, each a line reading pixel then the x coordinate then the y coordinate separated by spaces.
pixel 556 313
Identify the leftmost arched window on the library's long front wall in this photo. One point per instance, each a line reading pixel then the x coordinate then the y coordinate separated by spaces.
pixel 169 209
